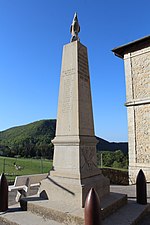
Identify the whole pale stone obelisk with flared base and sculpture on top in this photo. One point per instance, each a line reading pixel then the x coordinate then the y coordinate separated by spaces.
pixel 74 165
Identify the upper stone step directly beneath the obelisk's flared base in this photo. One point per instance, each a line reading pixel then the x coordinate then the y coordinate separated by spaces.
pixel 70 214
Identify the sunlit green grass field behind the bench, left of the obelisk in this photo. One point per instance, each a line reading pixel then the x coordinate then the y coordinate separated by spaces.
pixel 23 166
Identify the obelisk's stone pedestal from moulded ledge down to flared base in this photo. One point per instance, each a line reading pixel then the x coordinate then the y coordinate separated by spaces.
pixel 75 172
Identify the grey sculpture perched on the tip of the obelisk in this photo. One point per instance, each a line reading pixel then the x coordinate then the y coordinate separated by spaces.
pixel 75 29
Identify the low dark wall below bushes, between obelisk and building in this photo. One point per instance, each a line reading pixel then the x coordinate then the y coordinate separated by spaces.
pixel 116 176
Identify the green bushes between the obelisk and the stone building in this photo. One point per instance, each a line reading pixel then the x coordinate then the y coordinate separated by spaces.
pixel 115 159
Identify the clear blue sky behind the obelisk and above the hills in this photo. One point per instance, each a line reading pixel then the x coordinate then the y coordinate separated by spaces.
pixel 32 35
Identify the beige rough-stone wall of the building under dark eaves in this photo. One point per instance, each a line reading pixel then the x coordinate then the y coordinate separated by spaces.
pixel 137 70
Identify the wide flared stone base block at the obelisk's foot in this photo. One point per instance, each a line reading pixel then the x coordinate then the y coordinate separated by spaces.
pixel 73 191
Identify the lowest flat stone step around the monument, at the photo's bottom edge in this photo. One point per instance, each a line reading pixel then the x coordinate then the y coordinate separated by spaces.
pixel 128 214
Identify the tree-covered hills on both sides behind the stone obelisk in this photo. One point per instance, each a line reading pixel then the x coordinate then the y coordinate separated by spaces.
pixel 34 140
